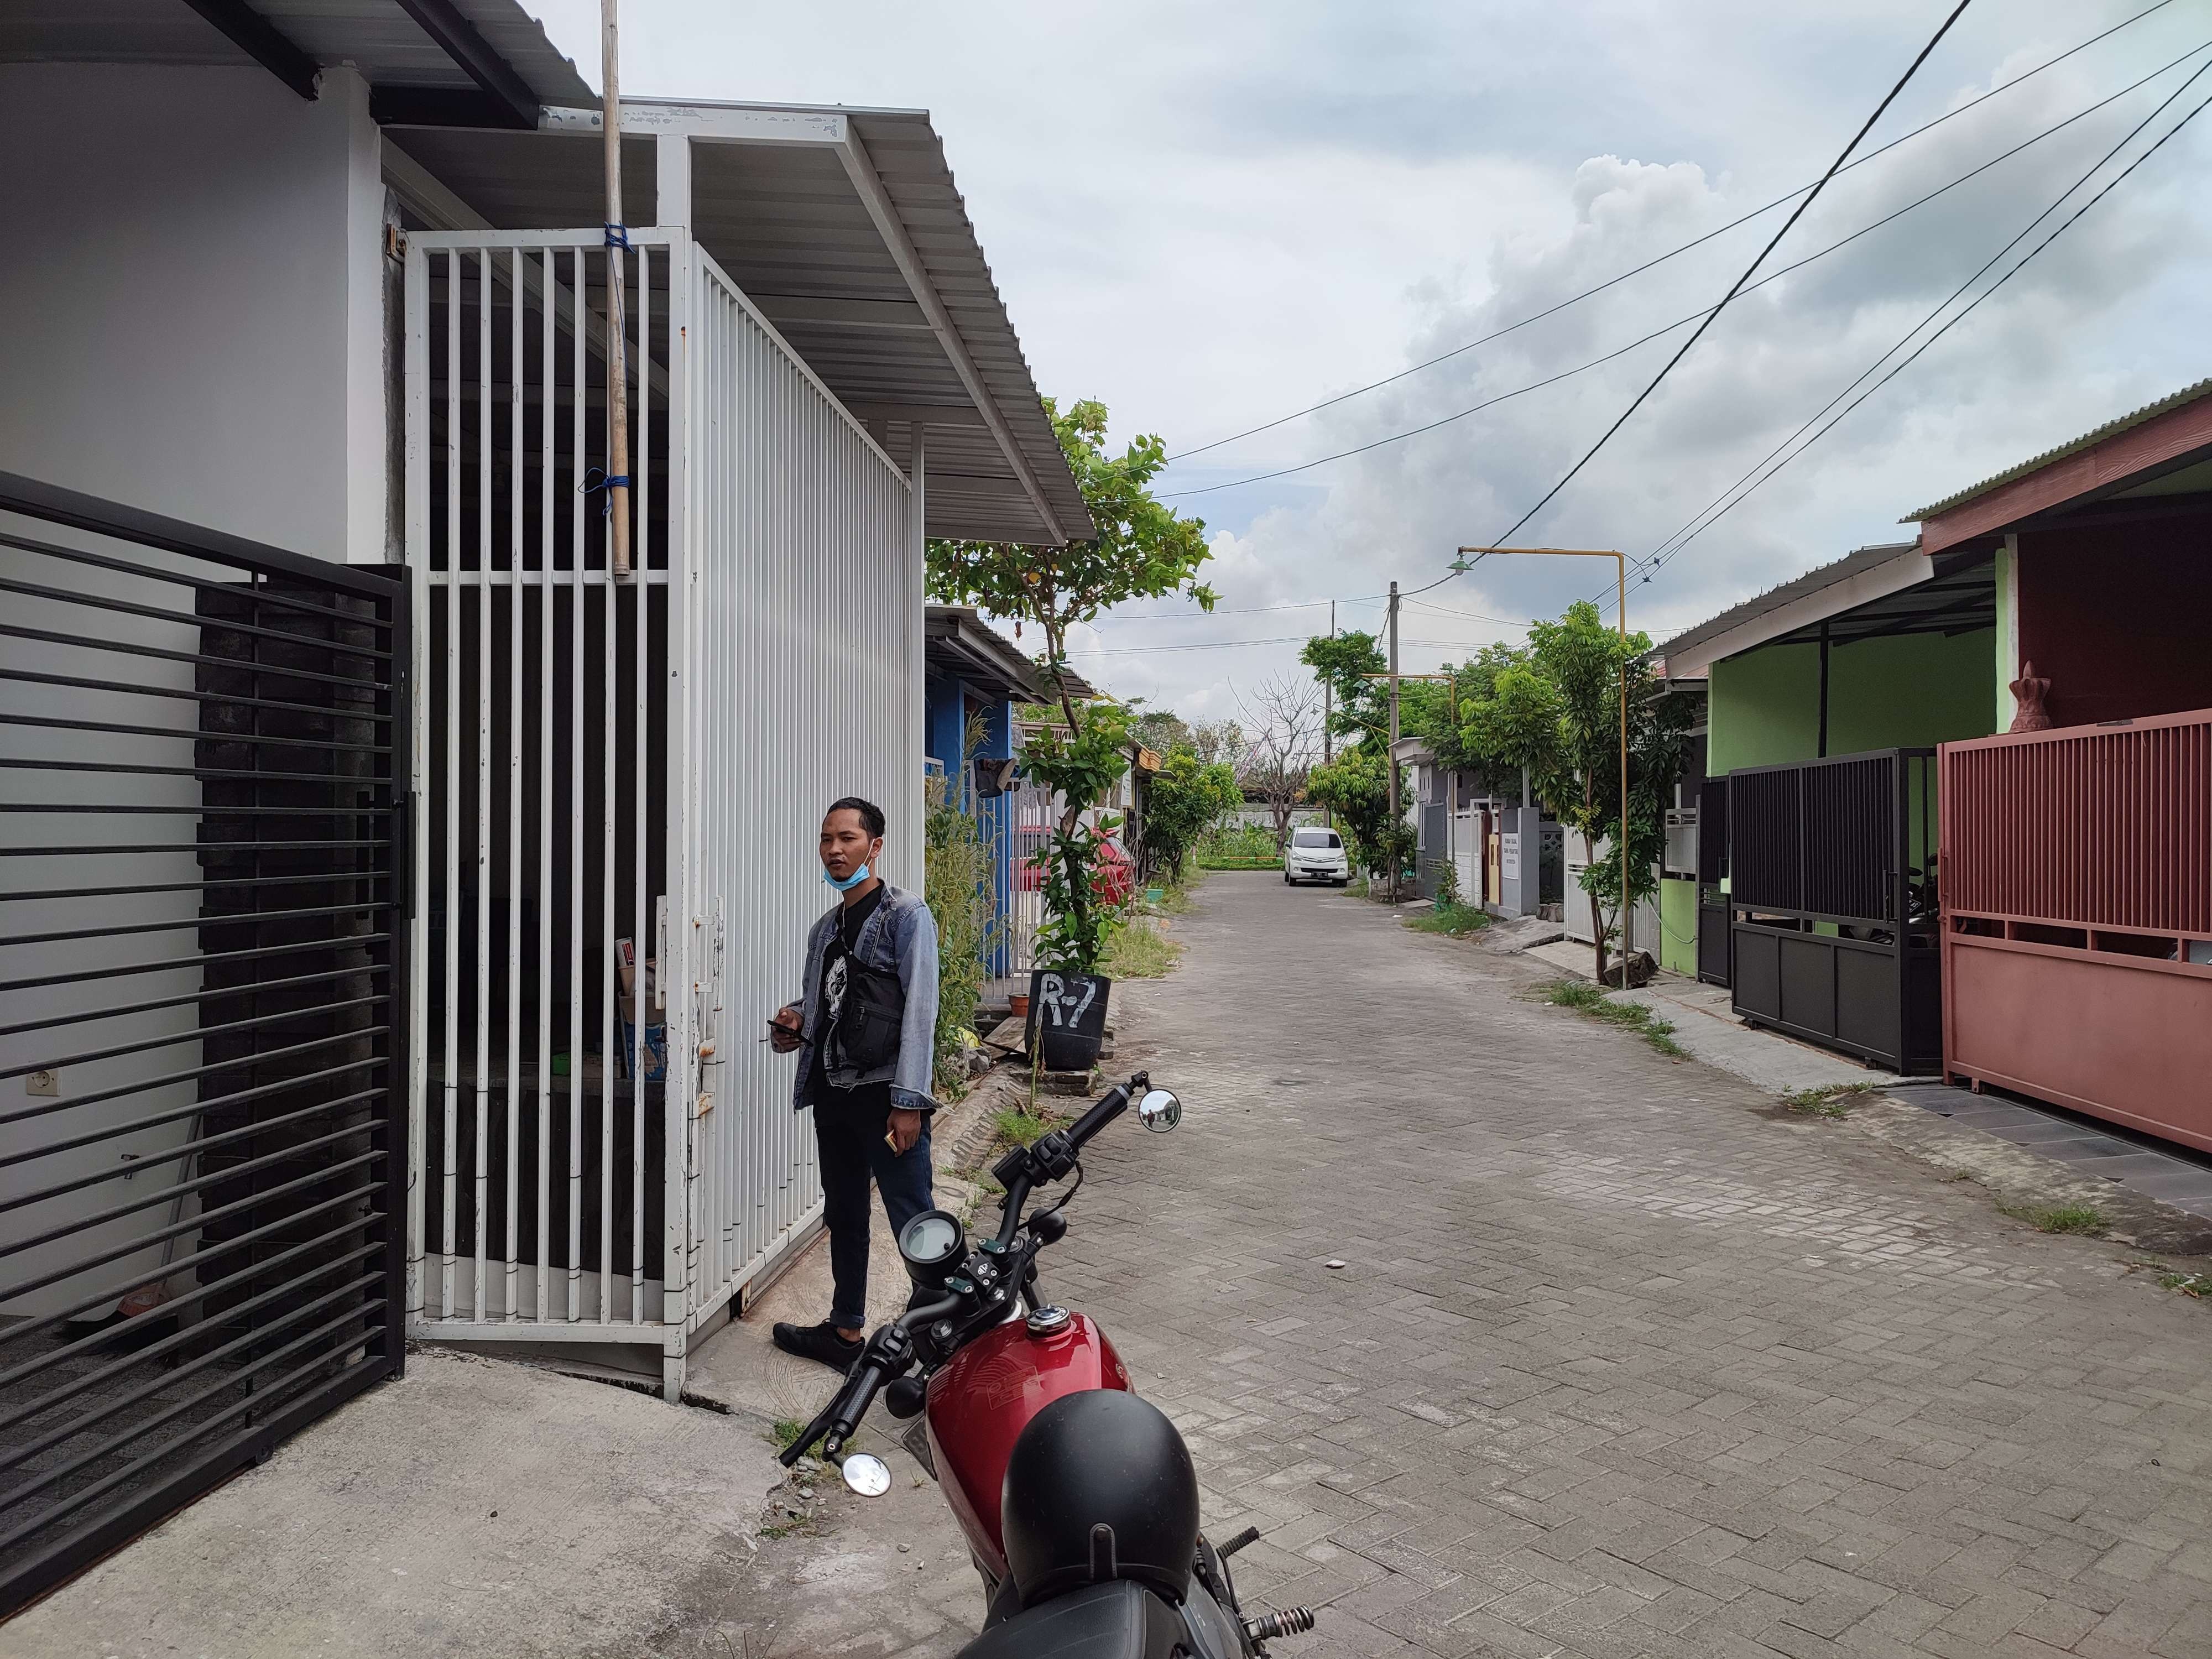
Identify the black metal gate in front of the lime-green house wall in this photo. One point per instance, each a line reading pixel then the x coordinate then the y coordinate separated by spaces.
pixel 1833 904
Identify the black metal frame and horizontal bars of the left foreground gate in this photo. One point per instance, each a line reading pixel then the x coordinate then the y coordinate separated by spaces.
pixel 286 1291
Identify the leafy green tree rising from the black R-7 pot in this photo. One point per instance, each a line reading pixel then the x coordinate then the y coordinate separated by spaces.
pixel 1140 550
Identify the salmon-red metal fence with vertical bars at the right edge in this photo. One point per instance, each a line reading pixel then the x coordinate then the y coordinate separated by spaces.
pixel 2076 881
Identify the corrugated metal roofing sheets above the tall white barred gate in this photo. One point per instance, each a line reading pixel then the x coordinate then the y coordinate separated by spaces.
pixel 791 229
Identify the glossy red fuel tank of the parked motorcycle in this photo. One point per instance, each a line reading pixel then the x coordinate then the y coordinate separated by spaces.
pixel 988 1395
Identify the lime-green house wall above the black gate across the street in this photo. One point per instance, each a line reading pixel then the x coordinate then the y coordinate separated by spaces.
pixel 1881 693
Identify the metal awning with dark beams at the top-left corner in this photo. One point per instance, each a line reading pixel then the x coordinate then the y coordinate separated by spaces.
pixel 457 61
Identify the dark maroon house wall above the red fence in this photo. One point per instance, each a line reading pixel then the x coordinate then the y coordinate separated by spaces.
pixel 2118 618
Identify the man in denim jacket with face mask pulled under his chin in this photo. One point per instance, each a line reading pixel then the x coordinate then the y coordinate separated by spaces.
pixel 866 1036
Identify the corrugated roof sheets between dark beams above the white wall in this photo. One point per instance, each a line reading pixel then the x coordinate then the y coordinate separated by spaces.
pixel 377 36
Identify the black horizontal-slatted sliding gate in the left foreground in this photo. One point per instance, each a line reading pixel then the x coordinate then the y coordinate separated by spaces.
pixel 202 970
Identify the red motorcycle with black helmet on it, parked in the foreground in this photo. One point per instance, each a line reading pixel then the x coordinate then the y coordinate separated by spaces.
pixel 1078 1501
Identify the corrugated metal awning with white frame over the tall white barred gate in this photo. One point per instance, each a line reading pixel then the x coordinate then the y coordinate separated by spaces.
pixel 846 229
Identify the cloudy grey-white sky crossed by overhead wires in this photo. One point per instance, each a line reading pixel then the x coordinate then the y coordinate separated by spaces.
pixel 1215 216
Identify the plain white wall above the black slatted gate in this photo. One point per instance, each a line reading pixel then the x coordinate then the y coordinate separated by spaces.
pixel 194 298
